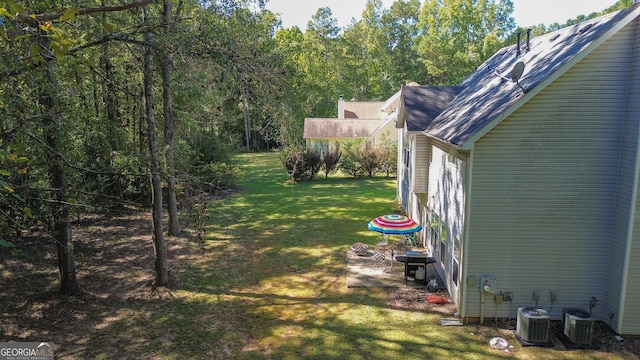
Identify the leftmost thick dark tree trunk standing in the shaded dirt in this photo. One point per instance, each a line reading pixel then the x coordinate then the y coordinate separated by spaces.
pixel 60 210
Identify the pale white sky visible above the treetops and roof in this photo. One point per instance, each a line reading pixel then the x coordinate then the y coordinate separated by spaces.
pixel 526 12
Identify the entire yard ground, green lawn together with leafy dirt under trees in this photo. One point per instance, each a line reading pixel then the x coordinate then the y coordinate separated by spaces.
pixel 271 284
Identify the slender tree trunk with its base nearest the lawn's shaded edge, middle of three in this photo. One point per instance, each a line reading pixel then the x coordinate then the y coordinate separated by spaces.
pixel 159 246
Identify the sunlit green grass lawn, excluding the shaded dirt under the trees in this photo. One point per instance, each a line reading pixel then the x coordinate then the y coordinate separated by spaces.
pixel 272 284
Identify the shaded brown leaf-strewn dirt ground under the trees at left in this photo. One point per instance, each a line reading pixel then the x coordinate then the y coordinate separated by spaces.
pixel 114 267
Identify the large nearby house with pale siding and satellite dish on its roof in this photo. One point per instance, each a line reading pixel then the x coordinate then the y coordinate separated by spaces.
pixel 534 184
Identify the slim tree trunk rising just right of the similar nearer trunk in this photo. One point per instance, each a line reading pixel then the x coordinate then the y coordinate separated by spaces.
pixel 166 64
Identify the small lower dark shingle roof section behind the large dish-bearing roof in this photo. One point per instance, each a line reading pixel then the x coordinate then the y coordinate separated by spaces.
pixel 422 104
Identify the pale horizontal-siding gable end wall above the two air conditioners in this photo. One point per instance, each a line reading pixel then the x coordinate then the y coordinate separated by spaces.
pixel 544 189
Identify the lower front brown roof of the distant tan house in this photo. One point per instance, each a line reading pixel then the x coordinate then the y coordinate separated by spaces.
pixel 340 128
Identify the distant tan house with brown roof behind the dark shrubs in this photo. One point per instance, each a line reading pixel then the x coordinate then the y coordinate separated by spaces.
pixel 369 122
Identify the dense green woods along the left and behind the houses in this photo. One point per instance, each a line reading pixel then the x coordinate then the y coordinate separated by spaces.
pixel 105 103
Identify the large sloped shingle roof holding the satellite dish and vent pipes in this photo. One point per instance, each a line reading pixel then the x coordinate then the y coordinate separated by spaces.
pixel 489 95
